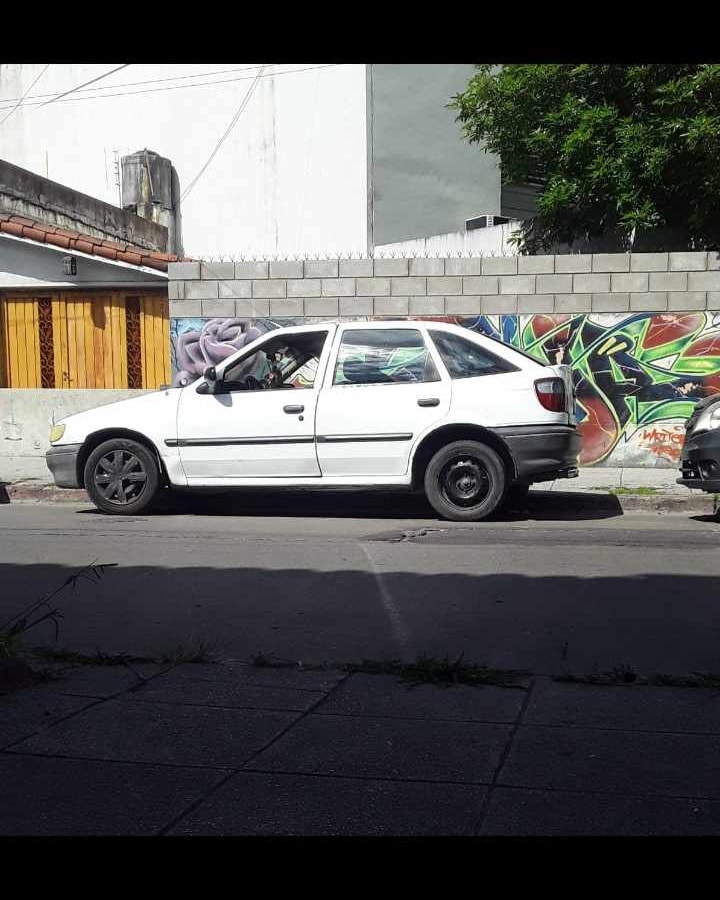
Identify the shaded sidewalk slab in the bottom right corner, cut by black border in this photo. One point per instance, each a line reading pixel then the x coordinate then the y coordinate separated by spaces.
pixel 522 812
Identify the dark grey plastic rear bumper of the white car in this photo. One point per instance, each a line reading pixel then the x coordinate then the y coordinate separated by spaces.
pixel 543 452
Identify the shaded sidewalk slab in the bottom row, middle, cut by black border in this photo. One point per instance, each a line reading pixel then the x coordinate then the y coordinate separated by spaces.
pixel 254 803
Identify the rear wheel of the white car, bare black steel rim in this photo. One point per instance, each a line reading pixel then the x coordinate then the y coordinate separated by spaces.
pixel 465 481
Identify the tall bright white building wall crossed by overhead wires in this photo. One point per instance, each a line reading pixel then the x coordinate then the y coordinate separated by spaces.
pixel 290 178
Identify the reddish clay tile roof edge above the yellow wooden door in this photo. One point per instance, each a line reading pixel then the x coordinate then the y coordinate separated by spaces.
pixel 33 230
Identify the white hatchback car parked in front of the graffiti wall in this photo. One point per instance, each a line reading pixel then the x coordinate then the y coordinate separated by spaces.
pixel 394 404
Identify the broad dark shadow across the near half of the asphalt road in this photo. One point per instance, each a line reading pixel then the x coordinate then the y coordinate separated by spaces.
pixel 342 613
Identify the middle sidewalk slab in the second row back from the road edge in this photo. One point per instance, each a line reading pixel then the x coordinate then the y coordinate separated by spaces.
pixel 387 748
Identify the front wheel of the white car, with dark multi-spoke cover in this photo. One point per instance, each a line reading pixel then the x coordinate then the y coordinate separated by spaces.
pixel 122 477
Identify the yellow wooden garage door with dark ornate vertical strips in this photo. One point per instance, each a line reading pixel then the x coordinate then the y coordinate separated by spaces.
pixel 74 341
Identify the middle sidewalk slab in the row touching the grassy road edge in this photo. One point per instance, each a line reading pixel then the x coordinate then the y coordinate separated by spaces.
pixel 383 695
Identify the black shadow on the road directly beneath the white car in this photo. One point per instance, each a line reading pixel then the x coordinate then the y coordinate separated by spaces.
pixel 539 506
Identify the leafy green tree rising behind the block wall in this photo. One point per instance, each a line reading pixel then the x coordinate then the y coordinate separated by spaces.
pixel 631 152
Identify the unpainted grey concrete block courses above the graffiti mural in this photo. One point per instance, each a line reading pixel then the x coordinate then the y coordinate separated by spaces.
pixel 575 283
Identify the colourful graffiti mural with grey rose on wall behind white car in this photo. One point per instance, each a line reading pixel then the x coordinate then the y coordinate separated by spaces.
pixel 637 376
